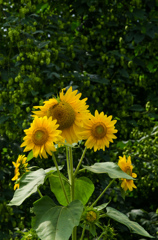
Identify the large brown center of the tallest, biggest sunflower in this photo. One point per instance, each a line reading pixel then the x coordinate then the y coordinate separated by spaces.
pixel 64 114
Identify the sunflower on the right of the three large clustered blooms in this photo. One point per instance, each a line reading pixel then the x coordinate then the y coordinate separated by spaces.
pixel 99 131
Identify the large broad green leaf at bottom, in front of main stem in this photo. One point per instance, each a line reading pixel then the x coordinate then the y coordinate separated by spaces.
pixel 54 222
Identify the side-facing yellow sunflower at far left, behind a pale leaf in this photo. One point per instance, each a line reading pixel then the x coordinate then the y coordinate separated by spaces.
pixel 20 168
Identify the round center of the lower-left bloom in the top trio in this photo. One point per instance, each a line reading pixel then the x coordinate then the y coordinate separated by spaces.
pixel 40 136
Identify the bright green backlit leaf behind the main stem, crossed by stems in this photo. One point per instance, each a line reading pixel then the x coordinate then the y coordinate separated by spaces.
pixel 83 189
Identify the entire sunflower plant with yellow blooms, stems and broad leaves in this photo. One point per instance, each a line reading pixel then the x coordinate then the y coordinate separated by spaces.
pixel 64 122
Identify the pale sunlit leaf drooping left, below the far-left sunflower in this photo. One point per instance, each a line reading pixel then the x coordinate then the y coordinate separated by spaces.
pixel 29 183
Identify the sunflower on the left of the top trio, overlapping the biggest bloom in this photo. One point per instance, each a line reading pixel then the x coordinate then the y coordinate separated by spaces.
pixel 41 136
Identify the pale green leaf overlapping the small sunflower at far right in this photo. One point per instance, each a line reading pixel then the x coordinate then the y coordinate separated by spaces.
pixel 112 169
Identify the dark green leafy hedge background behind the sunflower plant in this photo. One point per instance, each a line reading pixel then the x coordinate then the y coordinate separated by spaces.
pixel 107 50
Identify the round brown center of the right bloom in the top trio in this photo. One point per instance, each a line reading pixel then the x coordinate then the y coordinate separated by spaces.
pixel 99 130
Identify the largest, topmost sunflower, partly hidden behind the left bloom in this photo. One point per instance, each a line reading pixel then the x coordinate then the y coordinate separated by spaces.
pixel 69 111
